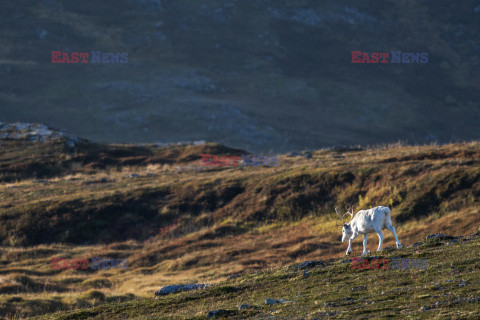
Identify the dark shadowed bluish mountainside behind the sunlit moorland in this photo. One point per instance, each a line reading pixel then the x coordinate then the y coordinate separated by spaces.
pixel 257 75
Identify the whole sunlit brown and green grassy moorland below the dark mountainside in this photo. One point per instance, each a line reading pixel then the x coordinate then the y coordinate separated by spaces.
pixel 178 222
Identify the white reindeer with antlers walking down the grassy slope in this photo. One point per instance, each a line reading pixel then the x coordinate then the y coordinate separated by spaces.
pixel 365 222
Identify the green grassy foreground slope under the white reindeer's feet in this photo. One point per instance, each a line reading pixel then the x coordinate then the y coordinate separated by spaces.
pixel 448 289
